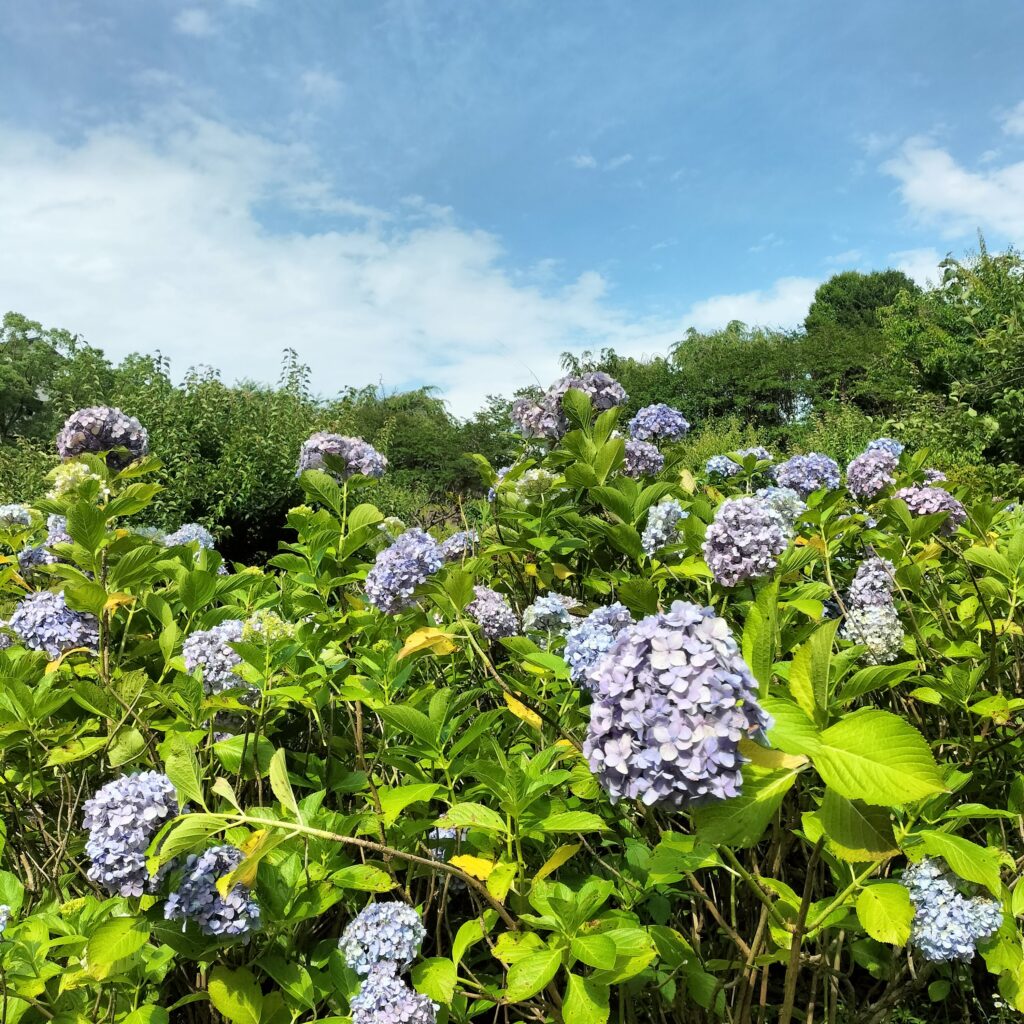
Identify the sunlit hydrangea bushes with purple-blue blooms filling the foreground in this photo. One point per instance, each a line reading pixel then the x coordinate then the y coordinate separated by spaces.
pixel 669 747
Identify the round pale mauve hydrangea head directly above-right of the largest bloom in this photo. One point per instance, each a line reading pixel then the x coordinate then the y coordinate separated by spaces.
pixel 745 541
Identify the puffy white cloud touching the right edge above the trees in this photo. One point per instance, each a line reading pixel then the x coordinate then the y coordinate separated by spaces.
pixel 937 190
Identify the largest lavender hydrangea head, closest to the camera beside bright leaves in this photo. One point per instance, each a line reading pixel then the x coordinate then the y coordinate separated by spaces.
pixel 672 701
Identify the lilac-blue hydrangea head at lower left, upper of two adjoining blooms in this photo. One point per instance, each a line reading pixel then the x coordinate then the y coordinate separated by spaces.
pixel 122 819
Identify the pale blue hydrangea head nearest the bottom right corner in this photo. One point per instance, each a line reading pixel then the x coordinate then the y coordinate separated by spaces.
pixel 948 926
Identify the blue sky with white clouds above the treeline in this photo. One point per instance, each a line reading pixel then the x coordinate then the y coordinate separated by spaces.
pixel 454 193
